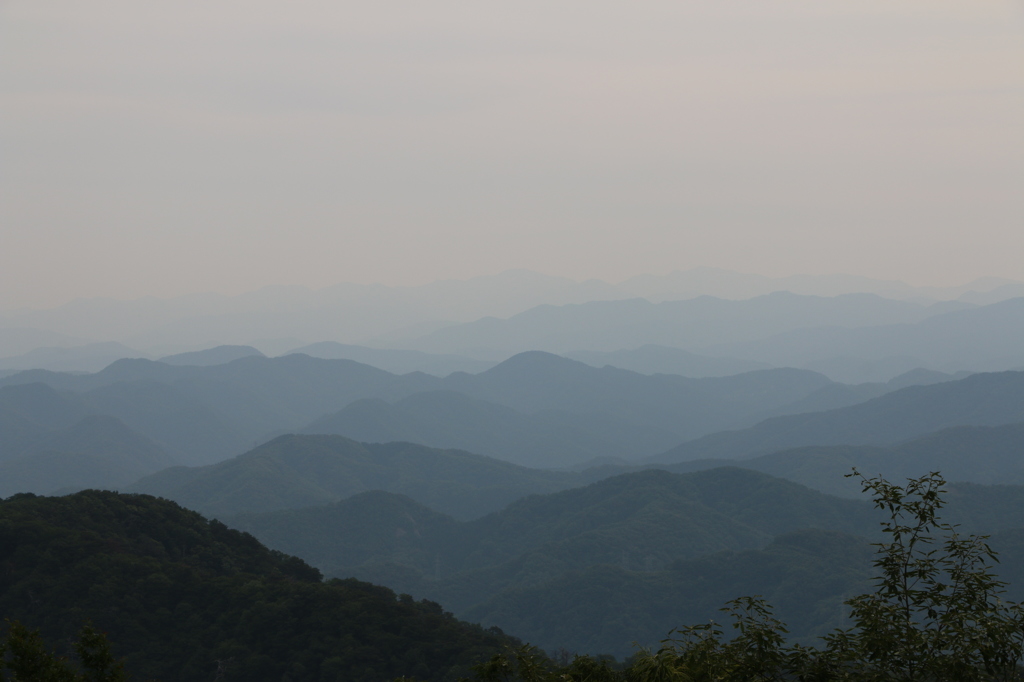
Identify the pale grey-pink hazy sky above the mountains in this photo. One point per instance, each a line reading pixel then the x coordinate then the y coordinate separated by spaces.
pixel 165 148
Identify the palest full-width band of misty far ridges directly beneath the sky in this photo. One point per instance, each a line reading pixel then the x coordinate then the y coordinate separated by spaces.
pixel 488 320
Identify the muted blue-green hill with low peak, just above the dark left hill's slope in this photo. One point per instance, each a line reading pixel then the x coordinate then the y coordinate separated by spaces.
pixel 304 471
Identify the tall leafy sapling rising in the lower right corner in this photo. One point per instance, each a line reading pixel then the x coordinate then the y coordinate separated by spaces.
pixel 937 613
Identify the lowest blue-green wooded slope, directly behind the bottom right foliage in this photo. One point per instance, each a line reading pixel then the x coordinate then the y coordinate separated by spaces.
pixel 607 609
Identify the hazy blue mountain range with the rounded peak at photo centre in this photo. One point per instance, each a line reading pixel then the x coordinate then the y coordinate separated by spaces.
pixel 205 414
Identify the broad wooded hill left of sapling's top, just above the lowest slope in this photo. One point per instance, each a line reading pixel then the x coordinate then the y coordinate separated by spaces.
pixel 654 518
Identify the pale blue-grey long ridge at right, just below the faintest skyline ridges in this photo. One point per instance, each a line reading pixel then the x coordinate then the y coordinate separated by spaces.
pixel 852 339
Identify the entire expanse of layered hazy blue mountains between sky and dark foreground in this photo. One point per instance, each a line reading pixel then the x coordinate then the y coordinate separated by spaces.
pixel 589 468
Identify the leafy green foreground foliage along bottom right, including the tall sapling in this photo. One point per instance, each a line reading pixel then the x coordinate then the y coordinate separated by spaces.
pixel 936 615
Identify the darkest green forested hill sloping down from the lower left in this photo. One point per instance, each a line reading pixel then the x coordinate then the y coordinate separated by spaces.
pixel 184 599
